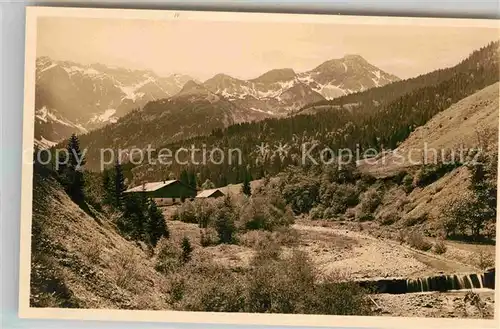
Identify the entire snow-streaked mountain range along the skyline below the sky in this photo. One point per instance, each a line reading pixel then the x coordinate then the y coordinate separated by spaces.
pixel 76 98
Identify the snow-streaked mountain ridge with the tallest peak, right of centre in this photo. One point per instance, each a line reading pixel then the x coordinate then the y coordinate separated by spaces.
pixel 271 91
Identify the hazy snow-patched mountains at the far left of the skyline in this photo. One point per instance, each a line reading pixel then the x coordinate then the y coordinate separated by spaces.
pixel 76 98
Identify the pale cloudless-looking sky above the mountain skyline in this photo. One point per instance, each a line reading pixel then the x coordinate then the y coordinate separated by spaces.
pixel 245 50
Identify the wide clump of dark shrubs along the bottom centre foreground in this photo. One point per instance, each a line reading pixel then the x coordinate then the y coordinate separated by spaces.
pixel 272 284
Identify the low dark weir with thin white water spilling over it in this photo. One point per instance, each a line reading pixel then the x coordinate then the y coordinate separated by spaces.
pixel 431 283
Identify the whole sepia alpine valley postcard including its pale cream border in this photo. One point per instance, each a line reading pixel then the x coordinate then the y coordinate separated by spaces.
pixel 259 168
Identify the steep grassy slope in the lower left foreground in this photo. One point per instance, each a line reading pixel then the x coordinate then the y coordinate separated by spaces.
pixel 82 262
